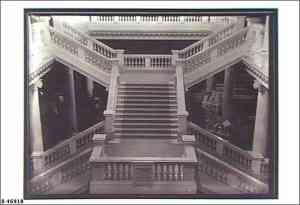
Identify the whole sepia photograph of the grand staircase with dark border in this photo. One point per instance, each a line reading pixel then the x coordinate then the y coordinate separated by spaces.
pixel 150 103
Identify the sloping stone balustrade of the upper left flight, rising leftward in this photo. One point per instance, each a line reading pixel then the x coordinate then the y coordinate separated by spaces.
pixel 80 51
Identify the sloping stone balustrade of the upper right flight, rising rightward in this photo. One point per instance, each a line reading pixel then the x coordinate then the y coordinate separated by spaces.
pixel 216 51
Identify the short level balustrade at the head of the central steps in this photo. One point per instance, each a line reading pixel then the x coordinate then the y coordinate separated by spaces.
pixel 147 61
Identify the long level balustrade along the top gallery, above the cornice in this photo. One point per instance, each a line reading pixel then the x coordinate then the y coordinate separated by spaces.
pixel 162 19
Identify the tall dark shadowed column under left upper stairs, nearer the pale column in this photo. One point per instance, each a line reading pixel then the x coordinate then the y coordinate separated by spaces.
pixel 73 112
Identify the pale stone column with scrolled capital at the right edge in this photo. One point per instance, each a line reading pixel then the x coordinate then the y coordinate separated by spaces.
pixel 260 138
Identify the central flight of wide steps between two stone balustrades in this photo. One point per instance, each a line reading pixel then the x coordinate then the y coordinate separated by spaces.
pixel 146 110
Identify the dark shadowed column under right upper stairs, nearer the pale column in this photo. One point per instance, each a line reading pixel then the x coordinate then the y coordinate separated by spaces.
pixel 227 94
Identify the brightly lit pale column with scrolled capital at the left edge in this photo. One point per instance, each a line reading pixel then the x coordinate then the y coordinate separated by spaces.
pixel 36 136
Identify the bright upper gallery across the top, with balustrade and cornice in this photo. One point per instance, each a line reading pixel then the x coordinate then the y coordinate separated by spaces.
pixel 154 27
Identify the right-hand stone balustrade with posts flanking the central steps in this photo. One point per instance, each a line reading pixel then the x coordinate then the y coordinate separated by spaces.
pixel 182 114
